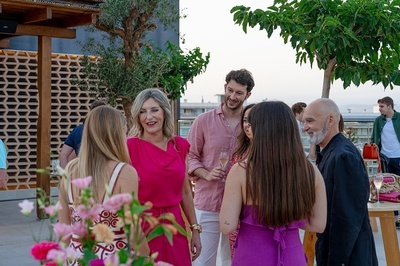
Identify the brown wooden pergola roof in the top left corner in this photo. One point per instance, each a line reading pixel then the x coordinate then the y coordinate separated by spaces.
pixel 47 18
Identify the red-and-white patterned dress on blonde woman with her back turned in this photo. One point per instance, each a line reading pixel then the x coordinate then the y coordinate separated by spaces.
pixel 102 250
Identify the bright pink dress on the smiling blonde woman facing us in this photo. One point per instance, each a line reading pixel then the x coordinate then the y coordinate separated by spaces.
pixel 161 176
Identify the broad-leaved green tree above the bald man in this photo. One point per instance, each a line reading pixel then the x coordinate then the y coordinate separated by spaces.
pixel 354 40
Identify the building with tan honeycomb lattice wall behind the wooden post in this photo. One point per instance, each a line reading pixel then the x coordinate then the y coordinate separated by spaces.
pixel 19 101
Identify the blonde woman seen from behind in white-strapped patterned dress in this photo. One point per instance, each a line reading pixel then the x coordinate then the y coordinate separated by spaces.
pixel 104 156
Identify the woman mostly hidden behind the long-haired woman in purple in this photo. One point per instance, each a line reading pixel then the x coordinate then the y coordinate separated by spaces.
pixel 243 144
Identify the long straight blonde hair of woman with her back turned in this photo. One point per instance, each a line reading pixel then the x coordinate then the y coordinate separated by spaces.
pixel 103 140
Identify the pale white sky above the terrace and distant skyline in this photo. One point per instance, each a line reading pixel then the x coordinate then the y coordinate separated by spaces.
pixel 209 26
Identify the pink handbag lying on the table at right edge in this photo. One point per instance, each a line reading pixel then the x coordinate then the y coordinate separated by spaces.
pixel 390 189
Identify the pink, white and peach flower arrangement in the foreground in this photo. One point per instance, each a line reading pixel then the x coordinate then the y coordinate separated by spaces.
pixel 131 214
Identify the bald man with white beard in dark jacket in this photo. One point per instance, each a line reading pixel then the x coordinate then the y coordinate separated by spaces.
pixel 348 238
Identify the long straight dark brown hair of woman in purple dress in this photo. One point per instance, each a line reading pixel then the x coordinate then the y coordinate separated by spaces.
pixel 280 181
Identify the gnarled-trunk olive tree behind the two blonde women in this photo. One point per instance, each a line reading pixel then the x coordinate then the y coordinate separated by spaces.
pixel 124 62
